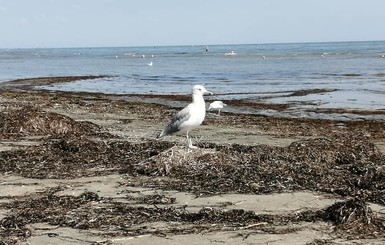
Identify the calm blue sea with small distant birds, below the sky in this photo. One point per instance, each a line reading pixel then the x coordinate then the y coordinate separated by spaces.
pixel 353 73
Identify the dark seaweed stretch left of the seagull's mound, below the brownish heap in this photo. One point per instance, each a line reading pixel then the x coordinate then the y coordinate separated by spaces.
pixel 72 156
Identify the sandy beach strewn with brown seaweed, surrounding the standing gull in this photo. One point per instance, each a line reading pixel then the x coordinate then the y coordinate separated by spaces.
pixel 85 168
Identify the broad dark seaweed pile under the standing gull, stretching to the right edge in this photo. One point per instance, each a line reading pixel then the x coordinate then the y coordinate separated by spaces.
pixel 343 166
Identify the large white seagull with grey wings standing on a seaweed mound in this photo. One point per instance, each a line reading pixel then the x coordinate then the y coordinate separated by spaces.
pixel 189 117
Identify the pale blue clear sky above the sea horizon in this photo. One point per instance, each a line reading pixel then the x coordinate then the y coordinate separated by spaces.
pixel 117 23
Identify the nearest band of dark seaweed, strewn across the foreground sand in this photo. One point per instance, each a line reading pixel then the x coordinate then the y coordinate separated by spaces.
pixel 353 219
